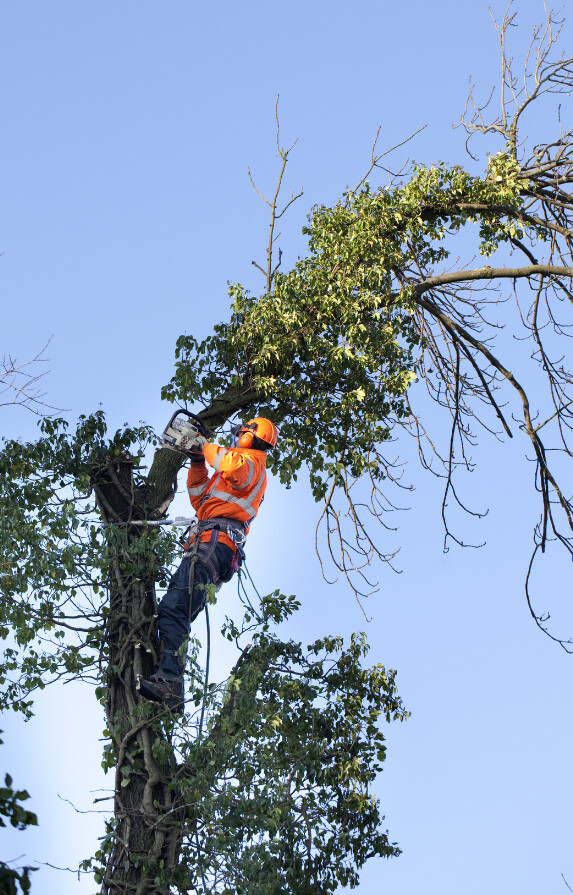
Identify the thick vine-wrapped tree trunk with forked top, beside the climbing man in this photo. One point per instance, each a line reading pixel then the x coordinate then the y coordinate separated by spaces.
pixel 145 840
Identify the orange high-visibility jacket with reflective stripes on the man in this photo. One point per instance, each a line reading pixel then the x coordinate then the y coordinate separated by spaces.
pixel 234 491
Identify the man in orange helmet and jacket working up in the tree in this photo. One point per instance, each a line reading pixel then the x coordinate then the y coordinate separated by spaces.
pixel 225 505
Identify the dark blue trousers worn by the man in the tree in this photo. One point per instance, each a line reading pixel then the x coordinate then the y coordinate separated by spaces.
pixel 179 608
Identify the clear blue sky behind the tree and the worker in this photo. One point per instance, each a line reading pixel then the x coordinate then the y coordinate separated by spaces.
pixel 128 129
